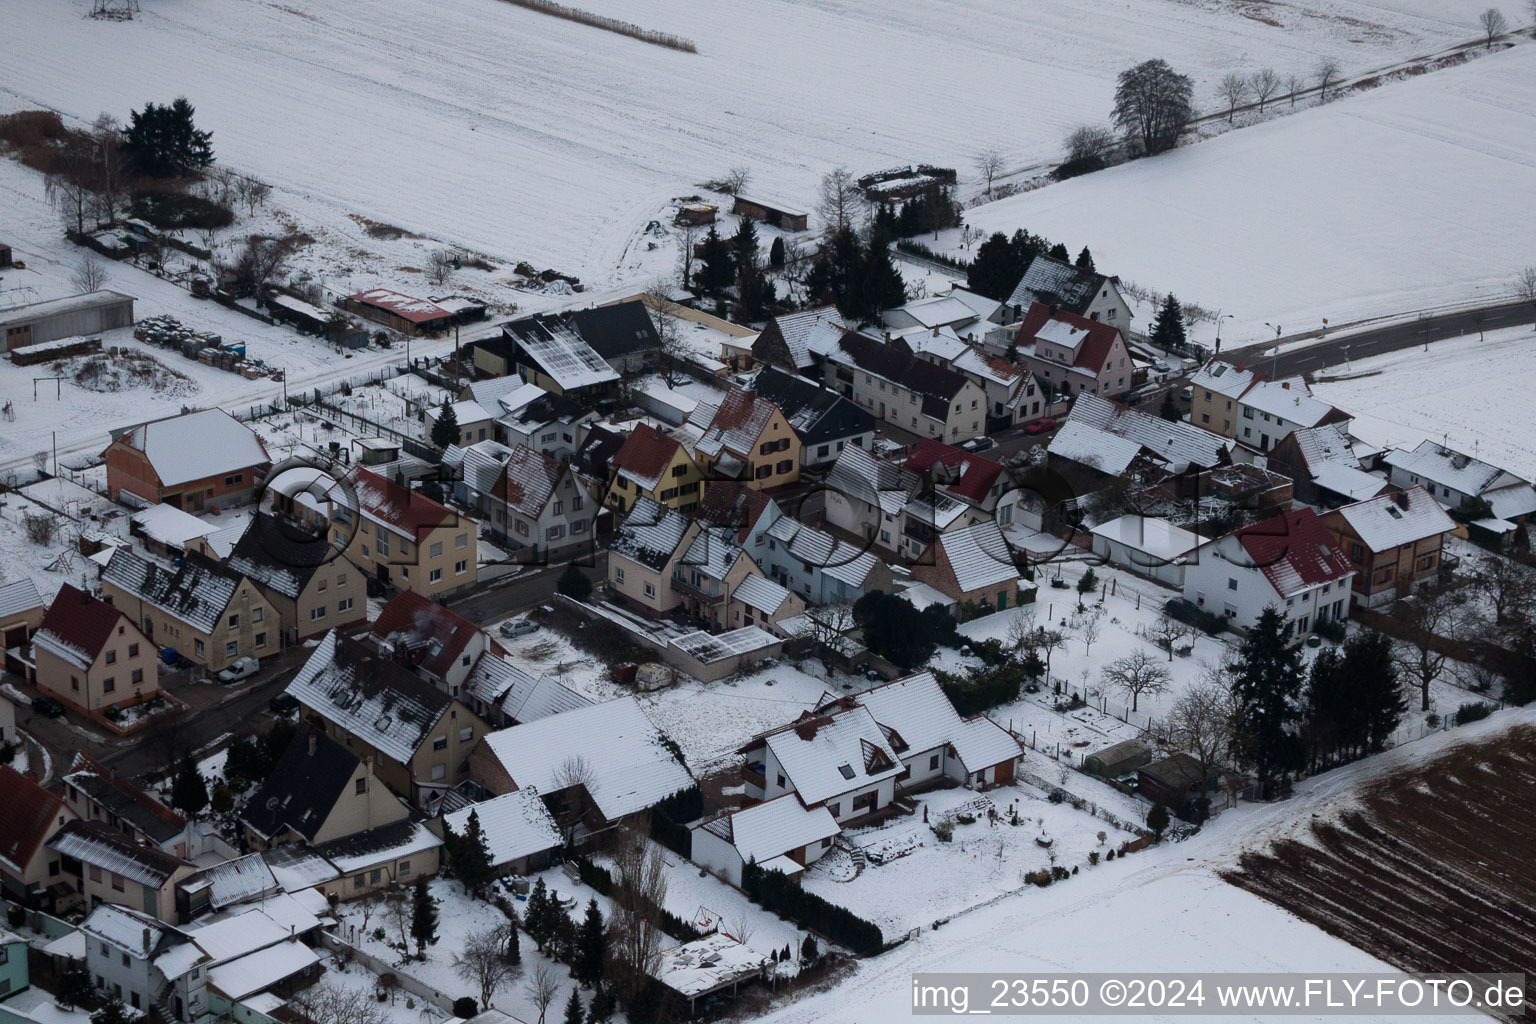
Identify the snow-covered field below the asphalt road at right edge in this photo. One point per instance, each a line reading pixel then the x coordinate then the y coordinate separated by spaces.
pixel 1471 395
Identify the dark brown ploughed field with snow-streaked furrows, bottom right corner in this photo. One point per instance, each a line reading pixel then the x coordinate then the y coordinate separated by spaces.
pixel 1431 873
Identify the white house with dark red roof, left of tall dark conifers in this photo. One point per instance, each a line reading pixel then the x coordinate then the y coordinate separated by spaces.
pixel 1289 563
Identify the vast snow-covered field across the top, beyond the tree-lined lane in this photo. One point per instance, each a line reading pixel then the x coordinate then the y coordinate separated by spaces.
pixel 537 139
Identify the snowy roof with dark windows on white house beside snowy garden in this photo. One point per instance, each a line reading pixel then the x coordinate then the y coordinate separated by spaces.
pixel 826 756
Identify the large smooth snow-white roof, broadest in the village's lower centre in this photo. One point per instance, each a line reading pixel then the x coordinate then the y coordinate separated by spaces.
pixel 631 768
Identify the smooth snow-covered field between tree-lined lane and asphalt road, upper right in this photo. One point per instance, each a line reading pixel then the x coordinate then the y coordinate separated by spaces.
pixel 1389 202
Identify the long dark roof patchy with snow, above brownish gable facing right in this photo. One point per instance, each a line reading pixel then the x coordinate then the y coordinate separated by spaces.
pixel 369 696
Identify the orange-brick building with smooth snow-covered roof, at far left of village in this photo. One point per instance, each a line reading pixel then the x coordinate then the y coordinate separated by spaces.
pixel 194 461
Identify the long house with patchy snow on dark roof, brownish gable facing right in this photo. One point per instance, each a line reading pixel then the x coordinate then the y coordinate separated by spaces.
pixel 415 736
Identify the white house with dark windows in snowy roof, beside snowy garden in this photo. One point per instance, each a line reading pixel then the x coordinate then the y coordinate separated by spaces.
pixel 839 759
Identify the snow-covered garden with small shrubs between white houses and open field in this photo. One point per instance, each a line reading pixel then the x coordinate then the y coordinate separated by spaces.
pixel 912 879
